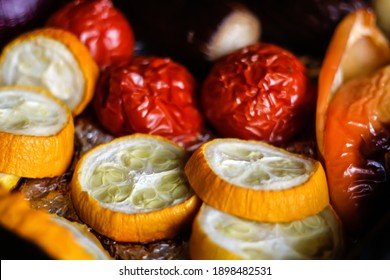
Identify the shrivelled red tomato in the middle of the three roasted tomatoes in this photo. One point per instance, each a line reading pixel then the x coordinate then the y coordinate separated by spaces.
pixel 149 95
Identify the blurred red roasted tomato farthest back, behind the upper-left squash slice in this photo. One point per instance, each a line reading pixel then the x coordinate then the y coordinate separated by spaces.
pixel 100 26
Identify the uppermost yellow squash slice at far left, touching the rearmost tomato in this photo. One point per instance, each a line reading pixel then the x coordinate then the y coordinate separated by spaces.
pixel 53 59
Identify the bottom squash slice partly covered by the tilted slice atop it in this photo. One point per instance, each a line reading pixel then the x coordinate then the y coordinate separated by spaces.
pixel 219 236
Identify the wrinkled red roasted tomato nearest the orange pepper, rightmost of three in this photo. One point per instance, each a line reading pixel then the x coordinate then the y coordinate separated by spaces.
pixel 259 92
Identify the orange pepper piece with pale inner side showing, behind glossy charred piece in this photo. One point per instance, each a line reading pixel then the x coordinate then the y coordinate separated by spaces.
pixel 357 48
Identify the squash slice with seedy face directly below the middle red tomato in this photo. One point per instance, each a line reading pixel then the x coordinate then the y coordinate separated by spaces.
pixel 134 189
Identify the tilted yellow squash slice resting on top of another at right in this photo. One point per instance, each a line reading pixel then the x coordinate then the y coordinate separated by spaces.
pixel 257 181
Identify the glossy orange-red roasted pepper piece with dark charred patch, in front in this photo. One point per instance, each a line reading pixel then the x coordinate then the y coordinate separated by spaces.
pixel 356 150
